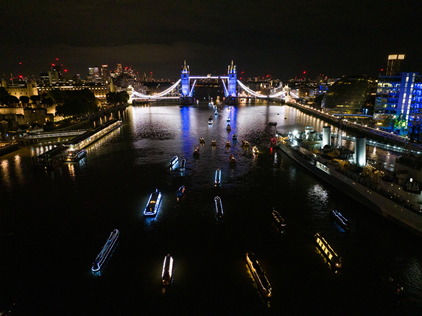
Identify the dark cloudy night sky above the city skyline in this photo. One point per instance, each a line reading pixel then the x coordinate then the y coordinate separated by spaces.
pixel 281 38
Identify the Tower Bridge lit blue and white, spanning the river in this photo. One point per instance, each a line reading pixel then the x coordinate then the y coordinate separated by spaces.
pixel 230 84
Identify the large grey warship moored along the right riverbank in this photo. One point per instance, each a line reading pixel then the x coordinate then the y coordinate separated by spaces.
pixel 386 198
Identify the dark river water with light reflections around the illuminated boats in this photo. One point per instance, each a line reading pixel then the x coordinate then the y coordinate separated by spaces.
pixel 53 225
